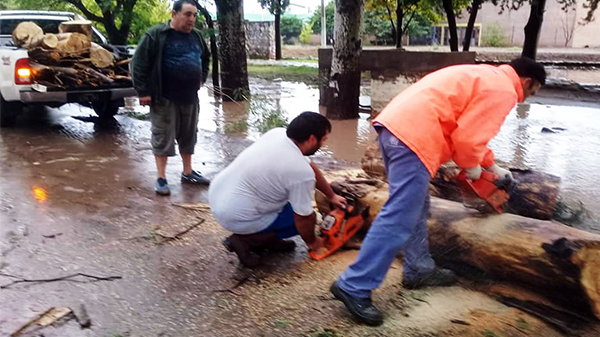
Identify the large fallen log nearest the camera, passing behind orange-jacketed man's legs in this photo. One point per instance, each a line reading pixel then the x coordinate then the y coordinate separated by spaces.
pixel 548 256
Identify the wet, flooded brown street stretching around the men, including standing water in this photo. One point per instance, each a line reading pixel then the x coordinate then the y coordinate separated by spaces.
pixel 76 197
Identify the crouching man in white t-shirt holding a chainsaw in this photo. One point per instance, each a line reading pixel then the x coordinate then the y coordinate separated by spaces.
pixel 266 194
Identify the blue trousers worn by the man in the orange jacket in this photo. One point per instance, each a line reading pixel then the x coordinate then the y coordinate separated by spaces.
pixel 400 225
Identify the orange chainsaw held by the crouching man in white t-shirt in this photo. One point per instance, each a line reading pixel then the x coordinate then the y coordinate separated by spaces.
pixel 339 226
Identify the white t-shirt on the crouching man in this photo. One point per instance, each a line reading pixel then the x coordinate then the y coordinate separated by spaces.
pixel 247 195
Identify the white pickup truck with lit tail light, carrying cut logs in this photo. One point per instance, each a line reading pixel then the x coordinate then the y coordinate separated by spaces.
pixel 16 89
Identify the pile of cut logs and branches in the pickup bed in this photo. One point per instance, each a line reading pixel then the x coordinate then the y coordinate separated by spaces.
pixel 70 59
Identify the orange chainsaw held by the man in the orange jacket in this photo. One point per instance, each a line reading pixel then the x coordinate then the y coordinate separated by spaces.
pixel 489 187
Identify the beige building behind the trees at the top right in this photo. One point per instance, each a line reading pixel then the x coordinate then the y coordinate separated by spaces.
pixel 559 29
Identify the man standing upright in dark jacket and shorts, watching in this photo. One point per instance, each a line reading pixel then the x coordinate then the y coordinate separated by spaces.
pixel 170 64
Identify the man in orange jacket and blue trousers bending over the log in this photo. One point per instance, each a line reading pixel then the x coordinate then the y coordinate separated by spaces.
pixel 450 114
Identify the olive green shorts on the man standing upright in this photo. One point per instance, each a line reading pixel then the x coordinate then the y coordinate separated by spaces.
pixel 173 122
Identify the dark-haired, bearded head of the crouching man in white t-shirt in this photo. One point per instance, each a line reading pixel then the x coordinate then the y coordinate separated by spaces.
pixel 309 131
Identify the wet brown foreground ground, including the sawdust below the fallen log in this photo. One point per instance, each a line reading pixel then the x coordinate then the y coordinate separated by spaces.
pixel 76 197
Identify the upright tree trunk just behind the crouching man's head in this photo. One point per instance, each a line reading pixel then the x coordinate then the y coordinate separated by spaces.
pixel 344 80
